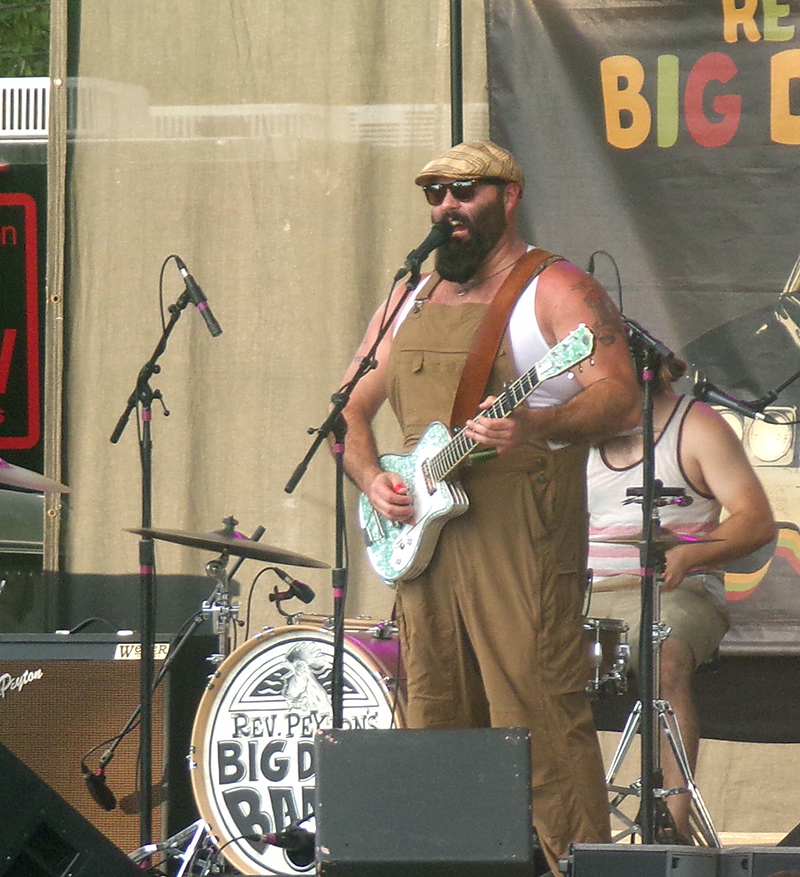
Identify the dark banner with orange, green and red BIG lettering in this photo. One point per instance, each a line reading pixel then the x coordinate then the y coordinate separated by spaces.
pixel 667 135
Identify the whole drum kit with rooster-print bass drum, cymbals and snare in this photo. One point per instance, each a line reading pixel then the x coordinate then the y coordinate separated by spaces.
pixel 251 757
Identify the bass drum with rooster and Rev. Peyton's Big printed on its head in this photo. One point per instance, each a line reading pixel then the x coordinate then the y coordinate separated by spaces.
pixel 252 749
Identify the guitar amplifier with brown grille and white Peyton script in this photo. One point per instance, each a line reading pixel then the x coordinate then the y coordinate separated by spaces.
pixel 62 695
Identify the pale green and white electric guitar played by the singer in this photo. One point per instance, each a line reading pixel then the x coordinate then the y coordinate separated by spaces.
pixel 401 550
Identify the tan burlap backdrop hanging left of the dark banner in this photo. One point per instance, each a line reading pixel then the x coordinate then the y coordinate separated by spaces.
pixel 271 145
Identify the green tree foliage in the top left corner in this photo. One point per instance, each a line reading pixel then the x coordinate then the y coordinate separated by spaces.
pixel 24 37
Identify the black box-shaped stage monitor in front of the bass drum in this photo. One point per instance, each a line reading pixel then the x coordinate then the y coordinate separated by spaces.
pixel 419 803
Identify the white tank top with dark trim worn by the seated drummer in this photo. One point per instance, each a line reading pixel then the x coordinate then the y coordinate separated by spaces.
pixel 608 516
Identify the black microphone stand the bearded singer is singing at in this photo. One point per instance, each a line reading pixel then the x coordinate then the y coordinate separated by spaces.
pixel 336 425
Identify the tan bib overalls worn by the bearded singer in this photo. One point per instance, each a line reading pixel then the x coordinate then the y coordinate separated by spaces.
pixel 491 631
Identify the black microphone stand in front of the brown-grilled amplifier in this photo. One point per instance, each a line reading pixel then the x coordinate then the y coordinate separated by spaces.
pixel 143 396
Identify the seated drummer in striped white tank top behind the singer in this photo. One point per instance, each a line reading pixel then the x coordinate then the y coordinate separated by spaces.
pixel 695 450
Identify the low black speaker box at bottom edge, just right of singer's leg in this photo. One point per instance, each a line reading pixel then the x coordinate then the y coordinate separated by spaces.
pixel 640 860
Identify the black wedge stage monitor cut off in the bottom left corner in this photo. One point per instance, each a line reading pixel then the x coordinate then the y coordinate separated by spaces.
pixel 42 836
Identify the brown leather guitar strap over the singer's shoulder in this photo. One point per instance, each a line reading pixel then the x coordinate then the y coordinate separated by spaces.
pixel 480 359
